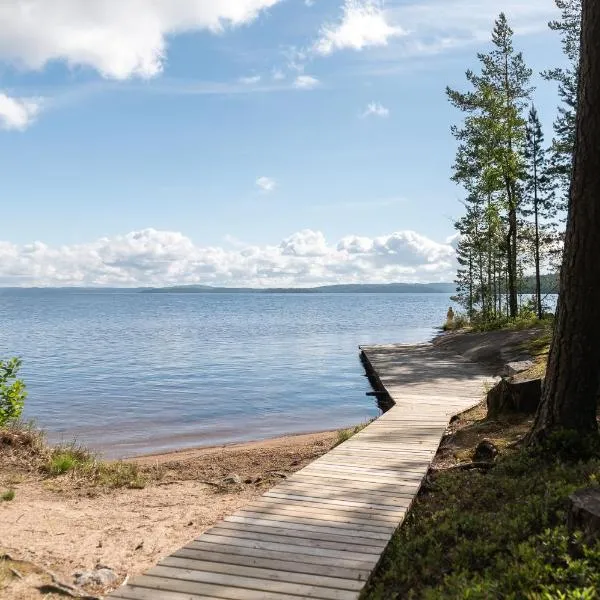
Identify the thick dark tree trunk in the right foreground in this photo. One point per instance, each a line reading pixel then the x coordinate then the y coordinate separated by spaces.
pixel 571 388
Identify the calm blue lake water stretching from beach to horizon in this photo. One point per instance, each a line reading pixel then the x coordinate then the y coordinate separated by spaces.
pixel 128 373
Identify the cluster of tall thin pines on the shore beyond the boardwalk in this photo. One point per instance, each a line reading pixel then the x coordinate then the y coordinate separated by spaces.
pixel 516 186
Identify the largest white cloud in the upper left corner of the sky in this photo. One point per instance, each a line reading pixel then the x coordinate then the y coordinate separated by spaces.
pixel 118 38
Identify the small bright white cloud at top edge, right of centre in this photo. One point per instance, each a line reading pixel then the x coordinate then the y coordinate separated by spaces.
pixel 364 23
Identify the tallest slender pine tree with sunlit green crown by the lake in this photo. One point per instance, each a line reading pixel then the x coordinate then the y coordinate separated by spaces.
pixel 489 159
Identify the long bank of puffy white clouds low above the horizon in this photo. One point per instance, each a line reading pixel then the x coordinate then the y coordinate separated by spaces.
pixel 153 258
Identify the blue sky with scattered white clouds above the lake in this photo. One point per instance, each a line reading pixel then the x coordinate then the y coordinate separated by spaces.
pixel 239 142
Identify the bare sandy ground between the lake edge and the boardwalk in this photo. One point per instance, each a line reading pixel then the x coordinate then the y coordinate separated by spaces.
pixel 63 525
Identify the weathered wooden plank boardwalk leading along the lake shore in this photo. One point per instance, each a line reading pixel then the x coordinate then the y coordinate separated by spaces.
pixel 321 532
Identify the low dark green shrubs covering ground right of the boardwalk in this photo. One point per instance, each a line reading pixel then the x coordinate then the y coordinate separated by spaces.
pixel 498 535
